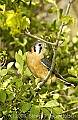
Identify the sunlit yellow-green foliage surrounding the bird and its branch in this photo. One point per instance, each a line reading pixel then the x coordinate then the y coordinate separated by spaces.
pixel 17 82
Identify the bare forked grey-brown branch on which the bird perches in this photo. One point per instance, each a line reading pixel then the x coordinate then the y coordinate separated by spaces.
pixel 39 86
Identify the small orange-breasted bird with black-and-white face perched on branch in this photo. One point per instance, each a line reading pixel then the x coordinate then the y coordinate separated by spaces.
pixel 38 64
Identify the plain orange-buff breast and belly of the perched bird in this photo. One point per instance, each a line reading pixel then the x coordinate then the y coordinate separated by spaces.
pixel 35 66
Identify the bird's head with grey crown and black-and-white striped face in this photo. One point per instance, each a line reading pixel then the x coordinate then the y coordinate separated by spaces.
pixel 39 47
